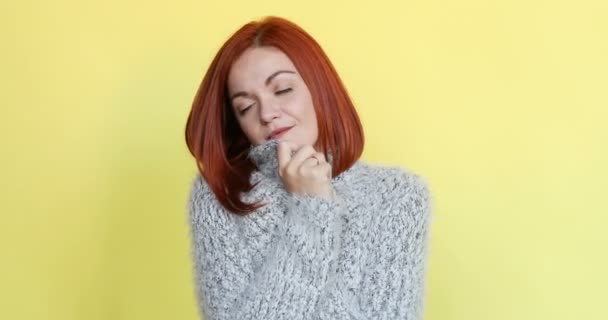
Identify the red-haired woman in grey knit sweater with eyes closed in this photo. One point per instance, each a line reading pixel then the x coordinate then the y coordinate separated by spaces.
pixel 287 222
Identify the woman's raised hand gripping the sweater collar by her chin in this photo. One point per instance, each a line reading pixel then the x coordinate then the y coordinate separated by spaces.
pixel 305 172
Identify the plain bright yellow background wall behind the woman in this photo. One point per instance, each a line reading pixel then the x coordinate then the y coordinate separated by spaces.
pixel 501 105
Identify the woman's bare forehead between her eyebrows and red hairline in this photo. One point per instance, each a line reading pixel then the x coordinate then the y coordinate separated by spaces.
pixel 255 65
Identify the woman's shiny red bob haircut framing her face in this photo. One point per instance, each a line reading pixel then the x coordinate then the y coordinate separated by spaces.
pixel 215 138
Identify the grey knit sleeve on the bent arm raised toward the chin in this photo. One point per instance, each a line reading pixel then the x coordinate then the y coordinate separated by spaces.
pixel 294 269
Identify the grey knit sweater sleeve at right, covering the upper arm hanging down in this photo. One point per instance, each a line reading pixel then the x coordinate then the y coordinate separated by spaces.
pixel 398 266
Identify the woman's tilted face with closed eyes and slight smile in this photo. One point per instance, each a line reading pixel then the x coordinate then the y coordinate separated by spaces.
pixel 267 93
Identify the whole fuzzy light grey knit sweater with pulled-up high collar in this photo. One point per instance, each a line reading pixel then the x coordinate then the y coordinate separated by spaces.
pixel 360 256
